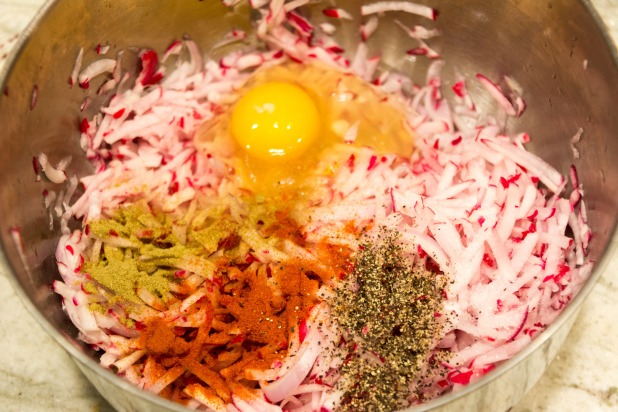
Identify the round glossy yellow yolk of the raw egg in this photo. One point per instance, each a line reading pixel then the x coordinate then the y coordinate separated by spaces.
pixel 275 122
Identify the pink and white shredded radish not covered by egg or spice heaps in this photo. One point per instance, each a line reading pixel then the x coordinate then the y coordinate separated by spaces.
pixel 470 202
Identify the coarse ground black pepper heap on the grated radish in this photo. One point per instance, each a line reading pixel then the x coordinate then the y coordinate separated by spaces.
pixel 391 311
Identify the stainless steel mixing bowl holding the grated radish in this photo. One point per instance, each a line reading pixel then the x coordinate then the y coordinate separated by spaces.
pixel 541 44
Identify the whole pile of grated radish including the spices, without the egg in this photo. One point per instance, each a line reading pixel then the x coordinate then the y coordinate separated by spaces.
pixel 392 280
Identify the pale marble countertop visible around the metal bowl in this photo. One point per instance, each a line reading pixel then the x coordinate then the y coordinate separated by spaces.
pixel 36 374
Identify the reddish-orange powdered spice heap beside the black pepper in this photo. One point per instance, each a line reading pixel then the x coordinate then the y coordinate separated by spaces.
pixel 250 312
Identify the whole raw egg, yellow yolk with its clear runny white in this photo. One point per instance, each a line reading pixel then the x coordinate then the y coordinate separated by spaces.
pixel 282 127
